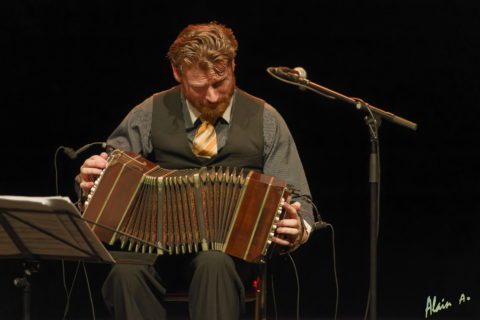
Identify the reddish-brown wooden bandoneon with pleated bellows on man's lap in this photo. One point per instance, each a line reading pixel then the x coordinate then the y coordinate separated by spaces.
pixel 155 210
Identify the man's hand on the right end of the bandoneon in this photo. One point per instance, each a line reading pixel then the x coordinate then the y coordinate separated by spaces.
pixel 290 231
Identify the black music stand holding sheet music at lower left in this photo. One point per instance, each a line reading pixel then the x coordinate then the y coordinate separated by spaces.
pixel 45 228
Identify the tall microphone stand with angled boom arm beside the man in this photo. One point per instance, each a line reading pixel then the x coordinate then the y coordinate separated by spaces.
pixel 373 121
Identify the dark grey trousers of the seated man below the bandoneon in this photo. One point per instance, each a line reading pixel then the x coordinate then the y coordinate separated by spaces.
pixel 216 291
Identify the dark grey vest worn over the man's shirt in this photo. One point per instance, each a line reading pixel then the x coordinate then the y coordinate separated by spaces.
pixel 244 145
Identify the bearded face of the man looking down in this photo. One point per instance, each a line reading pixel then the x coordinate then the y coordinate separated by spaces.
pixel 207 91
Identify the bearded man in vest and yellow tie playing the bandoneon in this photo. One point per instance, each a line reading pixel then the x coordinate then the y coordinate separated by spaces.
pixel 204 121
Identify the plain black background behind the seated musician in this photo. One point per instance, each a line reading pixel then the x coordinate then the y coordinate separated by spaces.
pixel 72 70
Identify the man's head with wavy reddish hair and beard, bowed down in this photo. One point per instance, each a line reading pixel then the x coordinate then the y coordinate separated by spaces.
pixel 203 61
